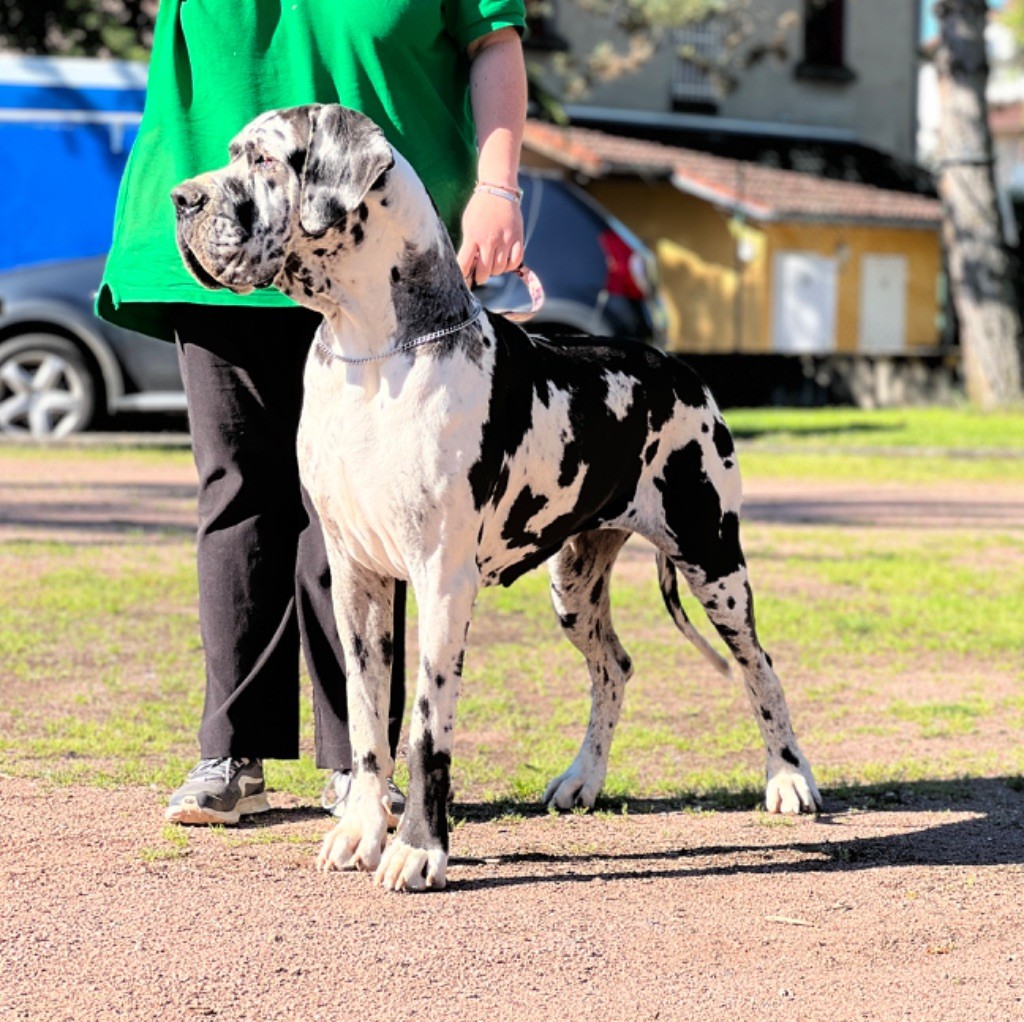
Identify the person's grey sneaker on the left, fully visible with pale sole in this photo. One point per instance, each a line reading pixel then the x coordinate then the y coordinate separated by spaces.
pixel 220 792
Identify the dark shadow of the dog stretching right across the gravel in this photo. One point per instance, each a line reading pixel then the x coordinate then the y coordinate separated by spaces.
pixel 990 831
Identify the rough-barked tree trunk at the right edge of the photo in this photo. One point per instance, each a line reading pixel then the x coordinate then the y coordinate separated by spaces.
pixel 980 268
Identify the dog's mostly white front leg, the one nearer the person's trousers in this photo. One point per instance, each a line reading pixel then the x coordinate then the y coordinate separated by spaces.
pixel 363 607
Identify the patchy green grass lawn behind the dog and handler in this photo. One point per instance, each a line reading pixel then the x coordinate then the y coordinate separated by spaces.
pixel 900 649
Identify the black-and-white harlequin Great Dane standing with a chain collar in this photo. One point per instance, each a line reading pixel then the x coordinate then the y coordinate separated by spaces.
pixel 444 446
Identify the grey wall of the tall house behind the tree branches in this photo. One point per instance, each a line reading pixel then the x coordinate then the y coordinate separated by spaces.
pixel 878 106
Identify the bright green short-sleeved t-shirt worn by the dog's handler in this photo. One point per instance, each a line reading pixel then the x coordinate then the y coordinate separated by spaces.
pixel 219 64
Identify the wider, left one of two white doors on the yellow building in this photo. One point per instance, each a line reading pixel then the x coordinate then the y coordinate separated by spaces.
pixel 804 288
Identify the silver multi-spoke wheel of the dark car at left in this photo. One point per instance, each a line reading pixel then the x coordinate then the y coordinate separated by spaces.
pixel 47 390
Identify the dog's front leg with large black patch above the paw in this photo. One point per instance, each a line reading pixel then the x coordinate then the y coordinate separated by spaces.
pixel 417 859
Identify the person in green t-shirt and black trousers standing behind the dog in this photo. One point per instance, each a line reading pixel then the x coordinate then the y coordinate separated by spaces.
pixel 446 81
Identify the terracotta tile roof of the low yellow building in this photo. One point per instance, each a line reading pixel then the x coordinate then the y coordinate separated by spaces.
pixel 759 192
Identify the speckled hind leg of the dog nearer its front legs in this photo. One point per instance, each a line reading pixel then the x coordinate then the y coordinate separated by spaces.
pixel 581 574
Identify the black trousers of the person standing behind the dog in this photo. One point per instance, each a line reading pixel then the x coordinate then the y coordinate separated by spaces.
pixel 264 576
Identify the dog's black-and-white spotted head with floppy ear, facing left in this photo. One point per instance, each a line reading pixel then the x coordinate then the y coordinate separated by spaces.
pixel 297 178
